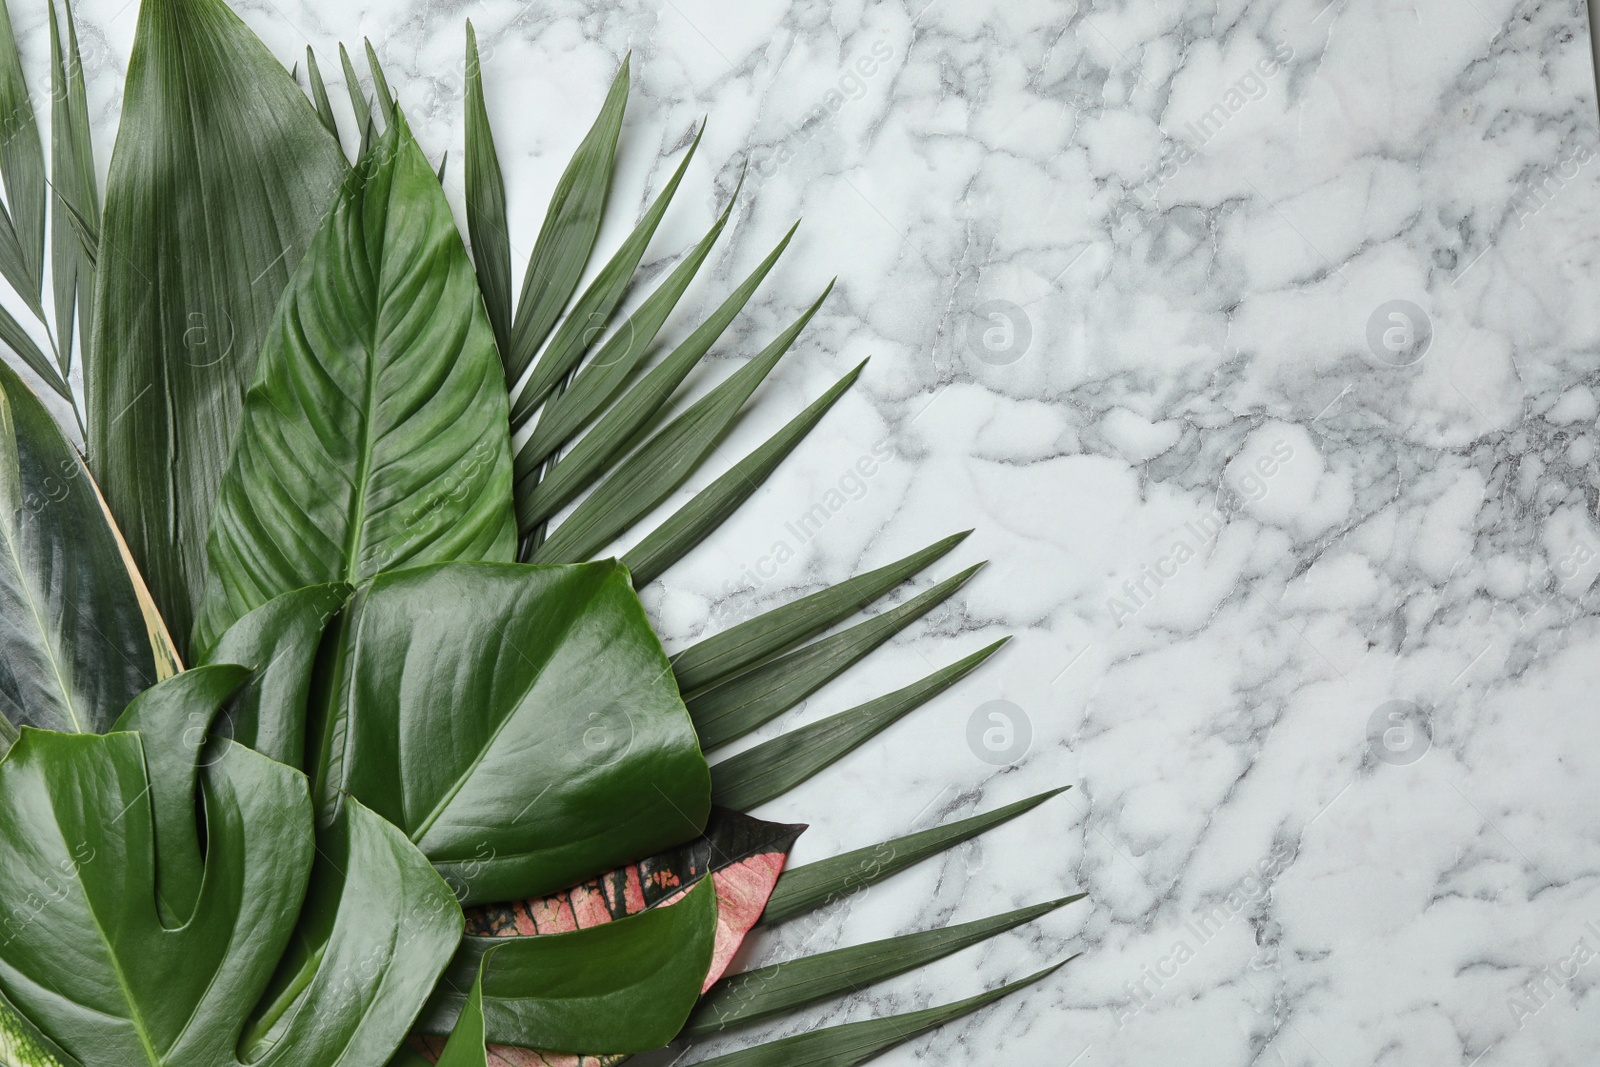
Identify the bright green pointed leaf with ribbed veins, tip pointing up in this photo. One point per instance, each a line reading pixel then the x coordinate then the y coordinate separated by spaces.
pixel 375 436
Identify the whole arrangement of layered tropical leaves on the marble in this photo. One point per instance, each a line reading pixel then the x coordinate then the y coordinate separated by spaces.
pixel 430 789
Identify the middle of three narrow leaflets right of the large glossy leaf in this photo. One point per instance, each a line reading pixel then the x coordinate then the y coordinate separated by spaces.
pixel 754 698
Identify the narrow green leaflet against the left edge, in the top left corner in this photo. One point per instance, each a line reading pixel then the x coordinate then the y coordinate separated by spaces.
pixel 23 167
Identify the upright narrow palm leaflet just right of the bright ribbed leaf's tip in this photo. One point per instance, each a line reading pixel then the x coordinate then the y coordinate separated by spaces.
pixel 487 204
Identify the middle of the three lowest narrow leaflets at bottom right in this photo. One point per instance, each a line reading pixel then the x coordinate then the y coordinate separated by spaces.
pixel 782 988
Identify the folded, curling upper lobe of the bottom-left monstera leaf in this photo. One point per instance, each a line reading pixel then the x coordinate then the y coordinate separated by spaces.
pixel 175 719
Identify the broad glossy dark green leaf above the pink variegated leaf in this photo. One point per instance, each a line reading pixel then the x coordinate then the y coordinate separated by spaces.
pixel 519 724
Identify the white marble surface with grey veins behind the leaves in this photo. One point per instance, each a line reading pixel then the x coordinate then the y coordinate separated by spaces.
pixel 1258 340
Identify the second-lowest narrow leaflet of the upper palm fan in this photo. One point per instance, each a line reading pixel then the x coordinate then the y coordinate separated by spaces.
pixel 660 465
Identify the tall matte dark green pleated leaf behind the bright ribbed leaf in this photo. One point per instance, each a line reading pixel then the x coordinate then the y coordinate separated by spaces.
pixel 220 177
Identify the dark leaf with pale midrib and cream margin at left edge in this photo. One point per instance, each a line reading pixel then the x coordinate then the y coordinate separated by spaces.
pixel 74 647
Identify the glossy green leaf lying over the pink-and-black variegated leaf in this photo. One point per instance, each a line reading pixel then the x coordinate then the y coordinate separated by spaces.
pixel 618 988
